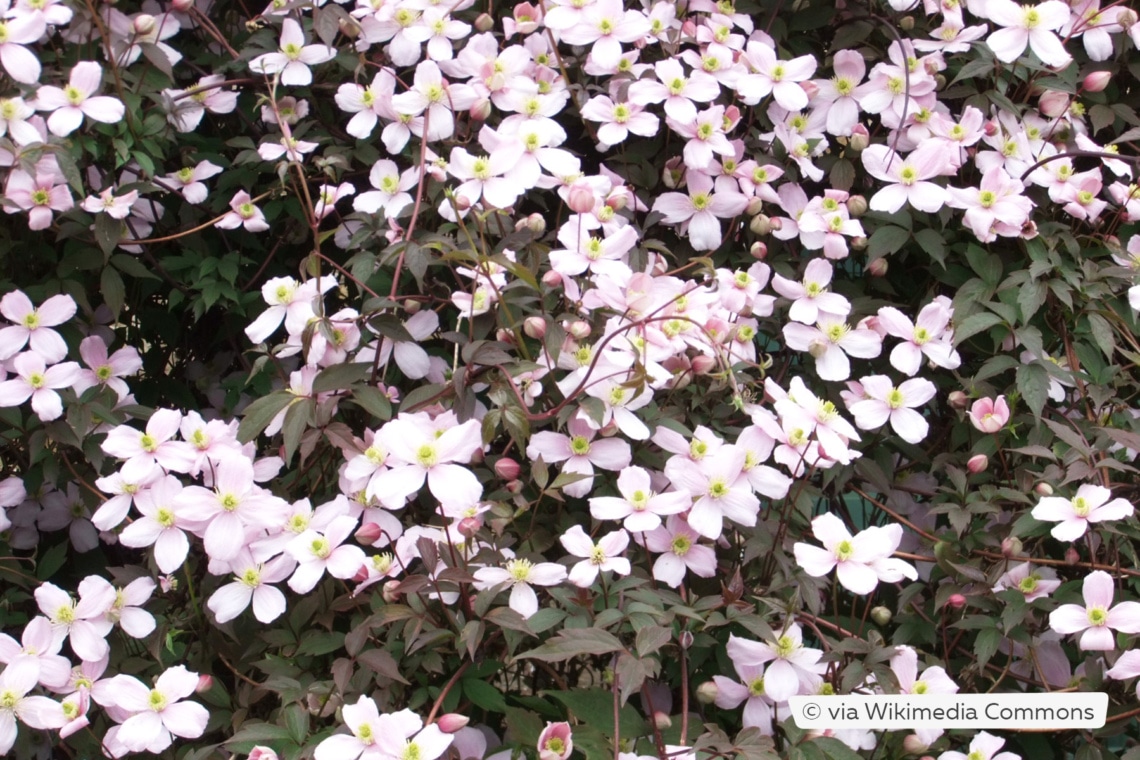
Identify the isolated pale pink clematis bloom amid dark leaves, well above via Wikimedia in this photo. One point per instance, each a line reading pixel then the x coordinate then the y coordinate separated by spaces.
pixel 861 561
